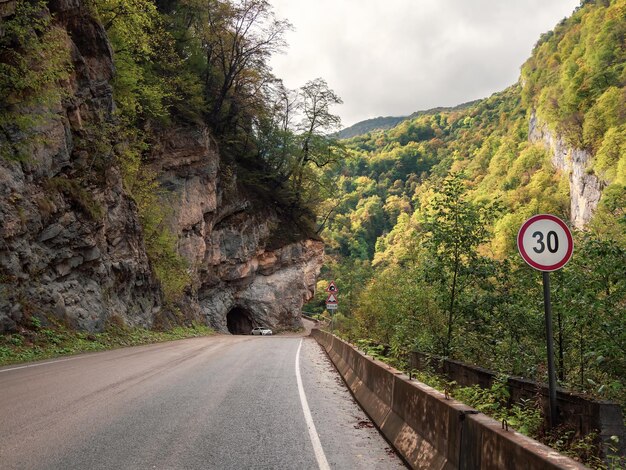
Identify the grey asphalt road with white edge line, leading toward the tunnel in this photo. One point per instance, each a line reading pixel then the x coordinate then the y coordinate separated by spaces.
pixel 222 402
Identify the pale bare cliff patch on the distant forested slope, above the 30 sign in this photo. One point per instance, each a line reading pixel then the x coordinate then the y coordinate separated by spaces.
pixel 585 188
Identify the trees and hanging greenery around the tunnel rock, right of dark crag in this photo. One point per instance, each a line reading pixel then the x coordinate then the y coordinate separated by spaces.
pixel 207 63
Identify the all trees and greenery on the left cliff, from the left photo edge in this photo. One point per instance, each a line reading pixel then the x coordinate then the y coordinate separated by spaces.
pixel 177 63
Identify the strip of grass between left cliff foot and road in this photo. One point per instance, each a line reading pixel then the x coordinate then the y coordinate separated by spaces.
pixel 36 342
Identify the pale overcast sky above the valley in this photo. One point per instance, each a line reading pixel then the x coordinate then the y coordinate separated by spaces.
pixel 394 57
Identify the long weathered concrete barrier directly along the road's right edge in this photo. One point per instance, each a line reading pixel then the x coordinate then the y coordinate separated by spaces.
pixel 428 430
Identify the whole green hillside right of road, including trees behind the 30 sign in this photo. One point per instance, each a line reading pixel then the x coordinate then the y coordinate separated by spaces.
pixel 421 230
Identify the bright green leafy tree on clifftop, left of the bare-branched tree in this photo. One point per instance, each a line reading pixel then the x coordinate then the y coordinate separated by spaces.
pixel 153 80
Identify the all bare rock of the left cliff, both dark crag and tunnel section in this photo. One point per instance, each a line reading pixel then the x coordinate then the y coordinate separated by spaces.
pixel 74 250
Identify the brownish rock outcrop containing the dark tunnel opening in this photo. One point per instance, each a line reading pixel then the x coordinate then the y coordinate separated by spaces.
pixel 224 235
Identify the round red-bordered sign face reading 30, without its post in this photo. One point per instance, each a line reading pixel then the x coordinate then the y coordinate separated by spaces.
pixel 545 242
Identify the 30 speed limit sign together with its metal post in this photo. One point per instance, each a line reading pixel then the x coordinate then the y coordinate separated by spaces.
pixel 546 244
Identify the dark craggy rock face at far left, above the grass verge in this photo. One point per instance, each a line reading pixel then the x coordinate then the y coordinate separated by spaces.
pixel 56 258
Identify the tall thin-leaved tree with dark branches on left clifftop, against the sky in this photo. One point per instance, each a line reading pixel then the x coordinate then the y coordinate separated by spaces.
pixel 232 43
